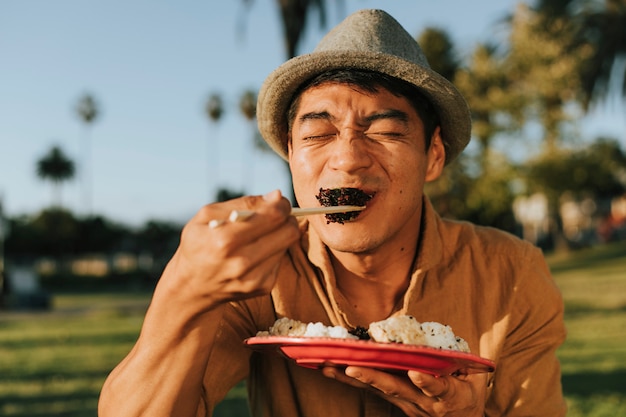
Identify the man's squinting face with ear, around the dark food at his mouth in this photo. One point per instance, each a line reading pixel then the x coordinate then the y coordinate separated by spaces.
pixel 344 137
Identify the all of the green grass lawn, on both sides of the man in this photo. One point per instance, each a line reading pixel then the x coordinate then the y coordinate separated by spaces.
pixel 54 363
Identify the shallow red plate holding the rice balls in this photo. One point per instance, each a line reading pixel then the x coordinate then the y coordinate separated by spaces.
pixel 312 352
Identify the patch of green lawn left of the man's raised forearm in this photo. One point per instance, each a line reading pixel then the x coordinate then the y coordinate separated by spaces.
pixel 53 364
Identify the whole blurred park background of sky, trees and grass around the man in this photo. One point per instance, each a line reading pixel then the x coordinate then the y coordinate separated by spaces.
pixel 118 121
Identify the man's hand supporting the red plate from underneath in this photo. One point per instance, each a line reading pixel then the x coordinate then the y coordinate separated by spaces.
pixel 418 393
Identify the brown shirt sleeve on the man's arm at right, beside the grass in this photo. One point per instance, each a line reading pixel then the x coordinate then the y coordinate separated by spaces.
pixel 527 381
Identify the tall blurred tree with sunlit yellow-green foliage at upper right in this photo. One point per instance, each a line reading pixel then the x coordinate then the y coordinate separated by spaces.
pixel 549 57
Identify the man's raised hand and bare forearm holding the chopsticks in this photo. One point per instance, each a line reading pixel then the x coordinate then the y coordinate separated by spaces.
pixel 162 375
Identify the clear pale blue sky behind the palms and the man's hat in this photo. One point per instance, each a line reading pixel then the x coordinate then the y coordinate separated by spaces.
pixel 151 64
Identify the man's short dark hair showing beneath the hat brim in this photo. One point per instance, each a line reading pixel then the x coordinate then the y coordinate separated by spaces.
pixel 371 81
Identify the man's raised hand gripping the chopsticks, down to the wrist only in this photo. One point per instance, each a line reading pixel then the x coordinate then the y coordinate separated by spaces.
pixel 236 260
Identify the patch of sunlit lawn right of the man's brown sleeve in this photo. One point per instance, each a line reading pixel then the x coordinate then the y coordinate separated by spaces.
pixel 593 358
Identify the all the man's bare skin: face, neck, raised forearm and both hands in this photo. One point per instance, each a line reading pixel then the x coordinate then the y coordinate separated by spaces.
pixel 341 138
